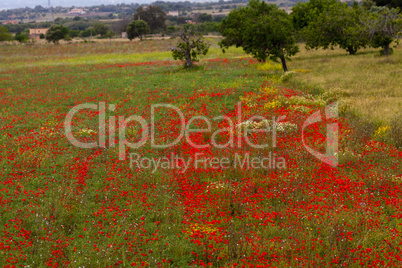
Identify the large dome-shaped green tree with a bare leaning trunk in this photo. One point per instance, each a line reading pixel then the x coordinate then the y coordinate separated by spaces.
pixel 262 30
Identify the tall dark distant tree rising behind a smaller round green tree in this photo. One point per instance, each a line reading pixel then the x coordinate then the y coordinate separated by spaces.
pixel 154 16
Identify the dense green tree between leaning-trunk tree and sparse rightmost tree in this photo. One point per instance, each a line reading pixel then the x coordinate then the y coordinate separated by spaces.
pixel 339 25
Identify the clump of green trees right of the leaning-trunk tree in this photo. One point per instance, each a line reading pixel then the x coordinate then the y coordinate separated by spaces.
pixel 329 23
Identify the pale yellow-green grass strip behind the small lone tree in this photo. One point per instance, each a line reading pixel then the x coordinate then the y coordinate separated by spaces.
pixel 41 55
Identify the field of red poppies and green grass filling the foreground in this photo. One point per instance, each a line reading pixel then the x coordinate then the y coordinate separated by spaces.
pixel 65 206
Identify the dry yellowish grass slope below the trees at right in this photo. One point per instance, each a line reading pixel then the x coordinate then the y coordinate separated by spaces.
pixel 371 84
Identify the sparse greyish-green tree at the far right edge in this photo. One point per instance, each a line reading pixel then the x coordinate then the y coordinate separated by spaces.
pixel 385 26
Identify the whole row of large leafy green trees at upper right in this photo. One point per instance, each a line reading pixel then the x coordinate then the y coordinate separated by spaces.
pixel 265 31
